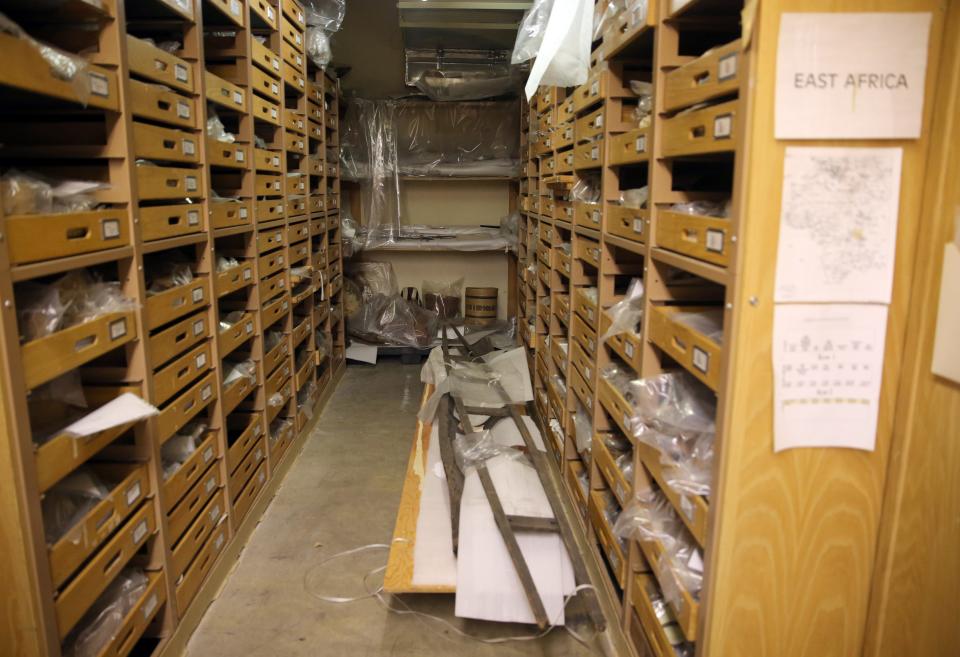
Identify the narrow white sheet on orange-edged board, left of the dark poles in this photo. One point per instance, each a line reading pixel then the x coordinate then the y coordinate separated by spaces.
pixel 433 560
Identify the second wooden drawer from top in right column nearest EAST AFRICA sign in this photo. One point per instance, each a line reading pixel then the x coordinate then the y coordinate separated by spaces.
pixel 708 130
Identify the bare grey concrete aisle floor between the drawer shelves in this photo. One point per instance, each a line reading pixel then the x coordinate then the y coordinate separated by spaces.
pixel 341 493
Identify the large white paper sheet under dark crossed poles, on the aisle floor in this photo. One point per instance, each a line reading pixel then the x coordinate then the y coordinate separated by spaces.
pixel 487 584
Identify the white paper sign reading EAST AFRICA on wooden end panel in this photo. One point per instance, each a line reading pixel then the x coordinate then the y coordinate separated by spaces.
pixel 851 75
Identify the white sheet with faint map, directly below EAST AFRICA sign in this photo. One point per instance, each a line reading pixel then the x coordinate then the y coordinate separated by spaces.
pixel 838 225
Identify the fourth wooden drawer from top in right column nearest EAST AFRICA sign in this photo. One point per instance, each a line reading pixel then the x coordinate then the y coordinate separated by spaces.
pixel 697 353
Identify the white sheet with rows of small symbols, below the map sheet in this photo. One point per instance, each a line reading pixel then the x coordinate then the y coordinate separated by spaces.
pixel 827 368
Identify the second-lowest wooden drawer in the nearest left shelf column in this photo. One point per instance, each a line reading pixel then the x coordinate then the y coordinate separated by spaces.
pixel 74 600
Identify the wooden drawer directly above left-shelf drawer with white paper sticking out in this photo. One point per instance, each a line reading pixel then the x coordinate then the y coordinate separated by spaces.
pixel 48 357
